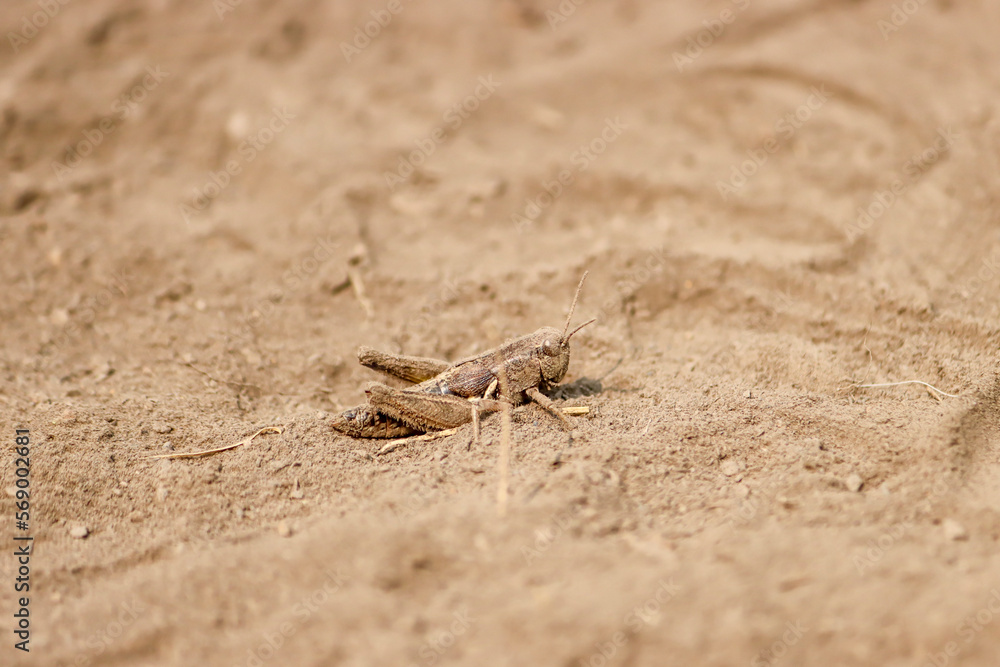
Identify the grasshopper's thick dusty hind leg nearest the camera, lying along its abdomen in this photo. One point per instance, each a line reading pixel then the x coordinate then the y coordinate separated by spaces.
pixel 426 412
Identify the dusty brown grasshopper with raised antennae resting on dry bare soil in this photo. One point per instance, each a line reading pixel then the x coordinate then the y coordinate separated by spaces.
pixel 447 395
